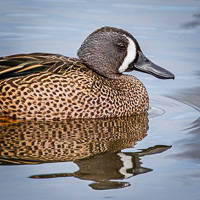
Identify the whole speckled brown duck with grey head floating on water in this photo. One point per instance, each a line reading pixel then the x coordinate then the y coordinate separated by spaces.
pixel 46 86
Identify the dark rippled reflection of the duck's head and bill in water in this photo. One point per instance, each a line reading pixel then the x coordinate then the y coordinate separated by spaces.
pixel 106 170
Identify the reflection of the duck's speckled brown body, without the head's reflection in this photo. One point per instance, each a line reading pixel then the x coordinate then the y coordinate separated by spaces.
pixel 30 141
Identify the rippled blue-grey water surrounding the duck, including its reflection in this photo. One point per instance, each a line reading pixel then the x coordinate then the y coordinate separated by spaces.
pixel 154 157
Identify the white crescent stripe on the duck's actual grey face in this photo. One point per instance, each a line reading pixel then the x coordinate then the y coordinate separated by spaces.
pixel 131 54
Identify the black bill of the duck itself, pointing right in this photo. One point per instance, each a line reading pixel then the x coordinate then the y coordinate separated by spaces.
pixel 143 64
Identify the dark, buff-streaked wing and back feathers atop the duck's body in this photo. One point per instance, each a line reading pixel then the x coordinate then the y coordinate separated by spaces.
pixel 24 64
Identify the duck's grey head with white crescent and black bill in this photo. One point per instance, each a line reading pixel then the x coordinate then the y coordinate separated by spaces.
pixel 111 51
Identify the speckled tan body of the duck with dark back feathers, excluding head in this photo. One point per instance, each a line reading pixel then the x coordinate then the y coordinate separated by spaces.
pixel 53 87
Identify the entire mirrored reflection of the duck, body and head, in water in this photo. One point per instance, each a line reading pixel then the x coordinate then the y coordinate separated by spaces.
pixel 94 145
